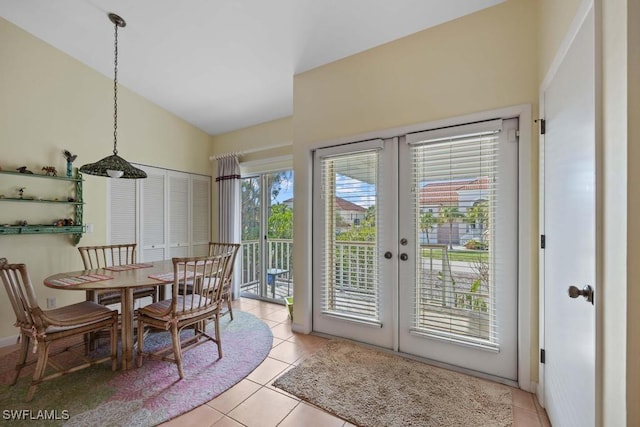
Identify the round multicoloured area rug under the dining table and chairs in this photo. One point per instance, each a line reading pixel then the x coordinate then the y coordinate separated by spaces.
pixel 144 396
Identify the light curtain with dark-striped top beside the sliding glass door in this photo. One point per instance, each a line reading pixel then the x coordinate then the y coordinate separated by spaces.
pixel 229 213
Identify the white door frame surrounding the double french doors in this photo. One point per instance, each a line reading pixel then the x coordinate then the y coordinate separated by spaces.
pixel 527 228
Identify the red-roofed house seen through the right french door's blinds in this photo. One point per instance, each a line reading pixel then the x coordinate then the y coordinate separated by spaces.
pixel 462 194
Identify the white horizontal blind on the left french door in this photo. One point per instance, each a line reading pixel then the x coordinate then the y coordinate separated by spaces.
pixel 349 265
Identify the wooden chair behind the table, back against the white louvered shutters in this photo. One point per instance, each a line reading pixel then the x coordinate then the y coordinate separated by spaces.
pixel 111 256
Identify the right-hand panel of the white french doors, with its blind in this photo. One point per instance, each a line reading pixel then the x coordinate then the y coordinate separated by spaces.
pixel 458 246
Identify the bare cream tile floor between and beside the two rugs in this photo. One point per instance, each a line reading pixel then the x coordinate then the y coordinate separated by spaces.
pixel 254 402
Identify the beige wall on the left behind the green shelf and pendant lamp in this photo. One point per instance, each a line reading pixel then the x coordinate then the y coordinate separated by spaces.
pixel 50 102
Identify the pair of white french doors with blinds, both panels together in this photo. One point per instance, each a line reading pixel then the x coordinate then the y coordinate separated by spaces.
pixel 431 267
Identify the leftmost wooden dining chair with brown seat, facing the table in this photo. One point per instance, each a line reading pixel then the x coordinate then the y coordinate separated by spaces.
pixel 46 327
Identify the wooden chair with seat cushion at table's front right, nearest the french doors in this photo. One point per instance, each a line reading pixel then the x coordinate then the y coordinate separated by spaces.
pixel 189 306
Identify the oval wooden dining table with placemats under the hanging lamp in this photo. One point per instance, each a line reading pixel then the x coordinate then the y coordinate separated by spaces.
pixel 124 280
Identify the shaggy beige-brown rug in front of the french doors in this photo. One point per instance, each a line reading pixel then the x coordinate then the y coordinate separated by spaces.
pixel 372 388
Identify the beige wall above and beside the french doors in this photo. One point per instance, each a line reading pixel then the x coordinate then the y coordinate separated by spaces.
pixel 484 61
